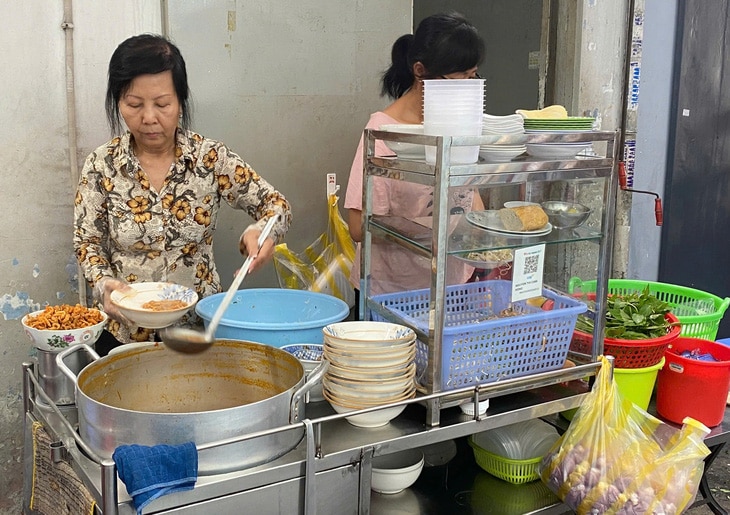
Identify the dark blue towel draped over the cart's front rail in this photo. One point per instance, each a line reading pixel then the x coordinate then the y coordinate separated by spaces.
pixel 151 472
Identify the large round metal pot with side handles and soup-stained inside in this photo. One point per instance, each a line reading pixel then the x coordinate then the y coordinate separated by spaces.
pixel 151 395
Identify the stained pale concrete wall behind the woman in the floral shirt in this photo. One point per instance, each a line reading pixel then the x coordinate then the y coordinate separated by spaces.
pixel 289 85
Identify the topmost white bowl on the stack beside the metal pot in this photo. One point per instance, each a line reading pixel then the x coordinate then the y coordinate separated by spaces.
pixel 367 334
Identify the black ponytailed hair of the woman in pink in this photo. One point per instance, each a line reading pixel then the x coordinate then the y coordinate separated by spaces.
pixel 444 43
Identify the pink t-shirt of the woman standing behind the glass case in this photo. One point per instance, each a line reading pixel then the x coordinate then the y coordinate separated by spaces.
pixel 393 268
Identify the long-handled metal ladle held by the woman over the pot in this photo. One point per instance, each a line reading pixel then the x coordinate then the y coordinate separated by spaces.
pixel 182 339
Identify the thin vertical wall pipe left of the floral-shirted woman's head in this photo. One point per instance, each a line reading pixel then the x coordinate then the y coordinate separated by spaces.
pixel 67 26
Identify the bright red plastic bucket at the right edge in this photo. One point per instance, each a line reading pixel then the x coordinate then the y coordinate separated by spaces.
pixel 694 388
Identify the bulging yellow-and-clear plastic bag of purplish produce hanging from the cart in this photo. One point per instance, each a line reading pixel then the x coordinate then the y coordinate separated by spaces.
pixel 616 458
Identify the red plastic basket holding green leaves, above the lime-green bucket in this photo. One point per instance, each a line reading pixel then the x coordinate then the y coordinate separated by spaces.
pixel 629 353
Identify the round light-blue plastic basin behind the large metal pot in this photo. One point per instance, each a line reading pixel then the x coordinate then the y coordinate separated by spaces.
pixel 274 316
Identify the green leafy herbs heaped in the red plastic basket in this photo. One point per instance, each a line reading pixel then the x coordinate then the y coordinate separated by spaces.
pixel 634 316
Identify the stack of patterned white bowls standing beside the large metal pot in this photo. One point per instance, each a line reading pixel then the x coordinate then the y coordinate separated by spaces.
pixel 371 364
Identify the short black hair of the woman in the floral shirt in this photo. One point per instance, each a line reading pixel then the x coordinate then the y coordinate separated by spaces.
pixel 140 55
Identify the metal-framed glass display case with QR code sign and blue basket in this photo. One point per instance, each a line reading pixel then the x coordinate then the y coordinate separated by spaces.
pixel 488 302
